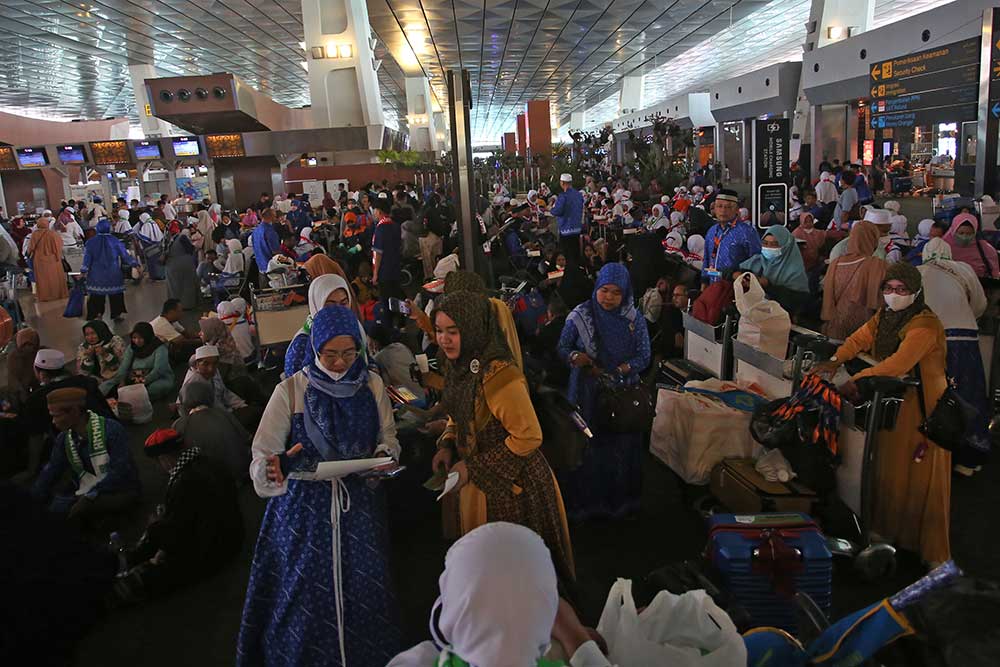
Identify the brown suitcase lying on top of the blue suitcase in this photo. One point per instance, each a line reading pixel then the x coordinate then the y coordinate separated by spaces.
pixel 740 488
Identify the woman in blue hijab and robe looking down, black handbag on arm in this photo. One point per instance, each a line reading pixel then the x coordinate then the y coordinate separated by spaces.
pixel 605 334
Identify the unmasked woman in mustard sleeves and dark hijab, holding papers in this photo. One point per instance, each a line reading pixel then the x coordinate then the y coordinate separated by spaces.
pixel 493 437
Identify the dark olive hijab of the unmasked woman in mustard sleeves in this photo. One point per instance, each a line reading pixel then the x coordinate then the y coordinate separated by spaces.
pixel 482 342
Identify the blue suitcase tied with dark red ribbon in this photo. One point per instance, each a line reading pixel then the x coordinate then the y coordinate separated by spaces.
pixel 764 559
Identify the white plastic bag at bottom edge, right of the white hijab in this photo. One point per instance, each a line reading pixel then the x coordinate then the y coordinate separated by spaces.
pixel 687 630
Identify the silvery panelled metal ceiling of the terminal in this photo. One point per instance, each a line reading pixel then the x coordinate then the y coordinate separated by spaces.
pixel 66 59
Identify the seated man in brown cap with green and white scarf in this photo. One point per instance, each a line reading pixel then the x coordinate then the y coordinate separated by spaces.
pixel 94 450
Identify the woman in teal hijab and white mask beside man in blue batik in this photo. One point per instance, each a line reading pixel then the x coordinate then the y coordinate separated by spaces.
pixel 780 270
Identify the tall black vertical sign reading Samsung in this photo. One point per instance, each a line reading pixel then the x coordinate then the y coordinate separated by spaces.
pixel 771 138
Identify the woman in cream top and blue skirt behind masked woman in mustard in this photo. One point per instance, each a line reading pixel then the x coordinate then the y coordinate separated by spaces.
pixel 954 293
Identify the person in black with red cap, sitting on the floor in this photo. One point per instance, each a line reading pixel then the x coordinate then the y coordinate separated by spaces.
pixel 200 529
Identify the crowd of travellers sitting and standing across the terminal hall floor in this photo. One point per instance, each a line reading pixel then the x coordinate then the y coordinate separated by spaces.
pixel 594 277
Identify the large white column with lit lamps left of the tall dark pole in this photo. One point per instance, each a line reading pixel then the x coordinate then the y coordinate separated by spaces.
pixel 343 85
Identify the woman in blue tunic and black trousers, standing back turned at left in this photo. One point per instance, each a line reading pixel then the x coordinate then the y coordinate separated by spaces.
pixel 103 256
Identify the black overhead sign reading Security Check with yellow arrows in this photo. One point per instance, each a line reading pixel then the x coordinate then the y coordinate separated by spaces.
pixel 932 86
